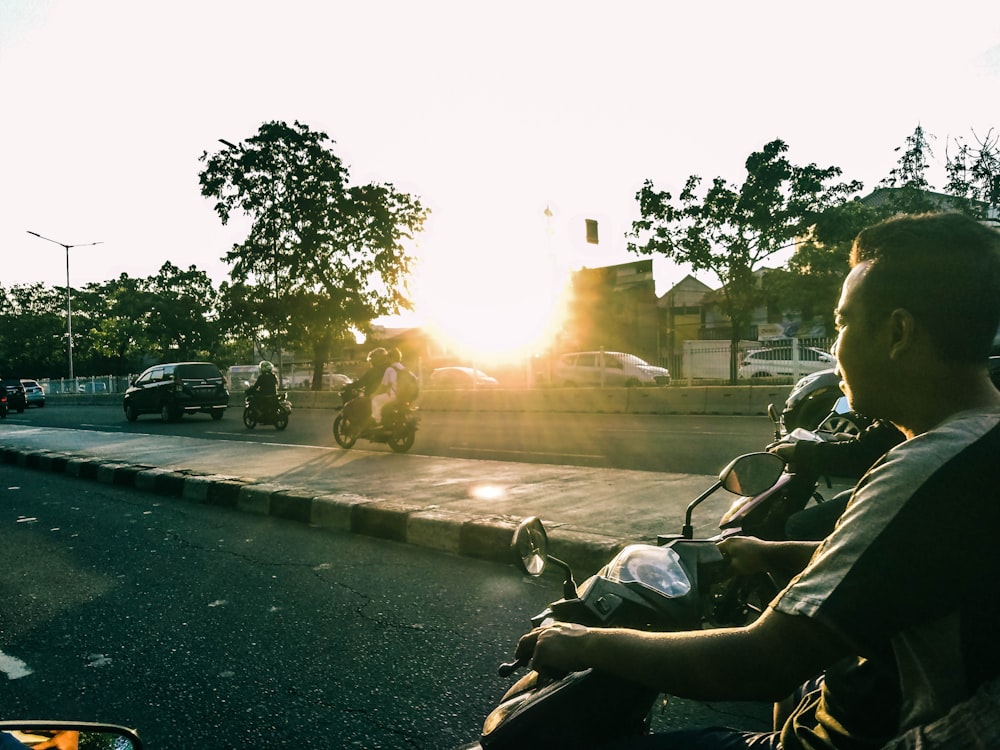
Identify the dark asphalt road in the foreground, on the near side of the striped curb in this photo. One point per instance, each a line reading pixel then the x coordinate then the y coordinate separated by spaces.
pixel 203 626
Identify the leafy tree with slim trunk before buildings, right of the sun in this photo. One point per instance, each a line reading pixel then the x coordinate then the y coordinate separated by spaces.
pixel 731 230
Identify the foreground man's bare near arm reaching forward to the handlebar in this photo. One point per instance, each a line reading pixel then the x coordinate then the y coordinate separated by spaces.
pixel 763 661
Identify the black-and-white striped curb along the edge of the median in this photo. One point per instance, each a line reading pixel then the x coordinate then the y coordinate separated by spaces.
pixel 466 534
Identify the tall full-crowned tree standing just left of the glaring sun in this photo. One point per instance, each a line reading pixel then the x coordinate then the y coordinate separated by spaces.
pixel 312 235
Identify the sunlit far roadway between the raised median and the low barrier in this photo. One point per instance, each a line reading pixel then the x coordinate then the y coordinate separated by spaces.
pixel 692 444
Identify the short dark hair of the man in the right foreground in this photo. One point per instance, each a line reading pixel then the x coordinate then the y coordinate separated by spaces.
pixel 944 268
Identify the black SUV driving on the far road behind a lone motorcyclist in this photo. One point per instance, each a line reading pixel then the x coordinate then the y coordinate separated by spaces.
pixel 175 389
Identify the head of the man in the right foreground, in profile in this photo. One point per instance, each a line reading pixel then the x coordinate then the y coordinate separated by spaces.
pixel 922 290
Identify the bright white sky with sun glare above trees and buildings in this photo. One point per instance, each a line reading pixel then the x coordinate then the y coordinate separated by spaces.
pixel 488 113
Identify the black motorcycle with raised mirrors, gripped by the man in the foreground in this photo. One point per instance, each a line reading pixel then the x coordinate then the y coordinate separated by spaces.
pixel 681 583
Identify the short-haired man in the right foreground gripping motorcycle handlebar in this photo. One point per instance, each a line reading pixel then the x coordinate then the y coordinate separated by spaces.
pixel 901 585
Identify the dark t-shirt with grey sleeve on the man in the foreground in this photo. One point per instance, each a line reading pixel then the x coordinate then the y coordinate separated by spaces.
pixel 908 578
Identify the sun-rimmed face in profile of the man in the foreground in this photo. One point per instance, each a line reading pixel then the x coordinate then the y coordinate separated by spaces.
pixel 860 352
